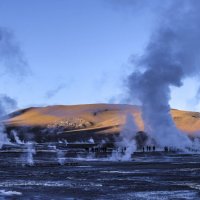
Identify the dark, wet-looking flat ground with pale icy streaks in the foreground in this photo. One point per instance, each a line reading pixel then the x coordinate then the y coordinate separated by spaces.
pixel 147 176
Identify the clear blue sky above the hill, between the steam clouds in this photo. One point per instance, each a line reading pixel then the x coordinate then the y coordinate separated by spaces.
pixel 79 52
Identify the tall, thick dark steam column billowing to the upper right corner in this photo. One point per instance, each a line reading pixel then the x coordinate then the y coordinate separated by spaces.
pixel 172 54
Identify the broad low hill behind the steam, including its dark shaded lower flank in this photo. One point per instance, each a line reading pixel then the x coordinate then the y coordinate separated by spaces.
pixel 91 120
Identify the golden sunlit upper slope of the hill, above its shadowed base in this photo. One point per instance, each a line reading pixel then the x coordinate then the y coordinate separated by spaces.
pixel 102 117
